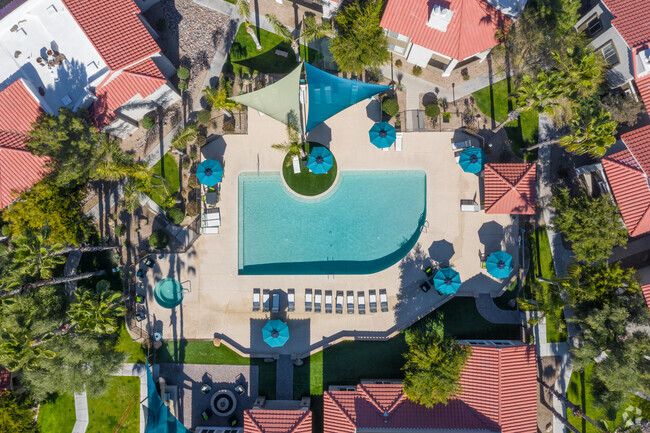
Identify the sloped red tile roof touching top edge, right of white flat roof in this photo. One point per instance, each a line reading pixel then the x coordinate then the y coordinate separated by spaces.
pixel 114 29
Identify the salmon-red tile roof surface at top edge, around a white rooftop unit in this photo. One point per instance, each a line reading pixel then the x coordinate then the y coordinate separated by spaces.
pixel 471 30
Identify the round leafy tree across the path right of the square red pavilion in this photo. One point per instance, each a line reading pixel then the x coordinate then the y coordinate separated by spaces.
pixel 593 225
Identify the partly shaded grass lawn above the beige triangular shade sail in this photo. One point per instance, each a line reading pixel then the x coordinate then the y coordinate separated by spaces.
pixel 244 58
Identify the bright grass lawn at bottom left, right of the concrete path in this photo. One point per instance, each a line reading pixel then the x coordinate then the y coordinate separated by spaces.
pixel 106 411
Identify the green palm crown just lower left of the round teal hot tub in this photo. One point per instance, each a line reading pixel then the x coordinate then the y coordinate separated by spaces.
pixel 97 311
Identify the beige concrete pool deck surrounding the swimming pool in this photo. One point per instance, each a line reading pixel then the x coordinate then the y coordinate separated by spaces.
pixel 220 301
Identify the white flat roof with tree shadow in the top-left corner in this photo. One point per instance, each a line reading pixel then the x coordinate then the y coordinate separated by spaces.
pixel 40 25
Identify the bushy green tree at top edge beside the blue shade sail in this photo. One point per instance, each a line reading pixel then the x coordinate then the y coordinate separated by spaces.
pixel 359 42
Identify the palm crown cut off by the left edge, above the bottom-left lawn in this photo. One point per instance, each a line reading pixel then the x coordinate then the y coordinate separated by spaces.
pixel 17 351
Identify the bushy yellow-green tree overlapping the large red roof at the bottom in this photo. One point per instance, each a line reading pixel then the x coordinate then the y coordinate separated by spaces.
pixel 433 364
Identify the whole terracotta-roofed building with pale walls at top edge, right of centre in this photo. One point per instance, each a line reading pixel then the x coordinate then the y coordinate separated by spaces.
pixel 446 34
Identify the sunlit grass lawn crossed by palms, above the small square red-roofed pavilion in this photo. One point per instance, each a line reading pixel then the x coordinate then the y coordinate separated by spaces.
pixel 494 103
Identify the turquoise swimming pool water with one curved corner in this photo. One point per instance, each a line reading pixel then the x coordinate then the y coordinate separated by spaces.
pixel 367 222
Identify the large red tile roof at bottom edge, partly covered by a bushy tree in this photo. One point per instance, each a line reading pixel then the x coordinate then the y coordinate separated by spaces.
pixel 499 394
